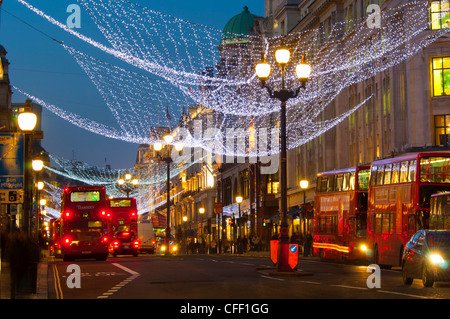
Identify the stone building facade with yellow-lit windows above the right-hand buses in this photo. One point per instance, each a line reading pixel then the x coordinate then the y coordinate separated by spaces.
pixel 409 111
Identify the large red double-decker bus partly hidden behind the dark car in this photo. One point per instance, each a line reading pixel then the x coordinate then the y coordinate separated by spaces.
pixel 399 201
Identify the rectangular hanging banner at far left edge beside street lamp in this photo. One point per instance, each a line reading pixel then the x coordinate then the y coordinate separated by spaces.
pixel 11 167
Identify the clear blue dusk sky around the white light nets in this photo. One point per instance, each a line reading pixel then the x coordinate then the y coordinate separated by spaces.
pixel 42 68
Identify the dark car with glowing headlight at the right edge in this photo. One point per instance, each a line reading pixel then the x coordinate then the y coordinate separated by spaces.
pixel 427 256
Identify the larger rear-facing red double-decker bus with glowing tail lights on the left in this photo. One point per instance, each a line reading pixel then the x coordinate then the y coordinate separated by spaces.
pixel 84 223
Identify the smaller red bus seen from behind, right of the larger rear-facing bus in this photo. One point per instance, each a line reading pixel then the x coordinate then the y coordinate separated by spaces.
pixel 123 215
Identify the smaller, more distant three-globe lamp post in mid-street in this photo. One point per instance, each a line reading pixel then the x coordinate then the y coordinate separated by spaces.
pixel 166 157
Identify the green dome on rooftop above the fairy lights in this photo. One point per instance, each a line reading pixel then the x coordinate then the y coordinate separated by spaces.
pixel 238 27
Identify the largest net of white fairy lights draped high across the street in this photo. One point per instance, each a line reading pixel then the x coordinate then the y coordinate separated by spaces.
pixel 179 55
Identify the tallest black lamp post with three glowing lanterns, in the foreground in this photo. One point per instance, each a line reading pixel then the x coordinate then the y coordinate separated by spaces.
pixel 303 70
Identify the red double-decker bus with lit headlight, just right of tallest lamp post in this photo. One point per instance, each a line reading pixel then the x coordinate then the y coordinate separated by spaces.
pixel 340 213
